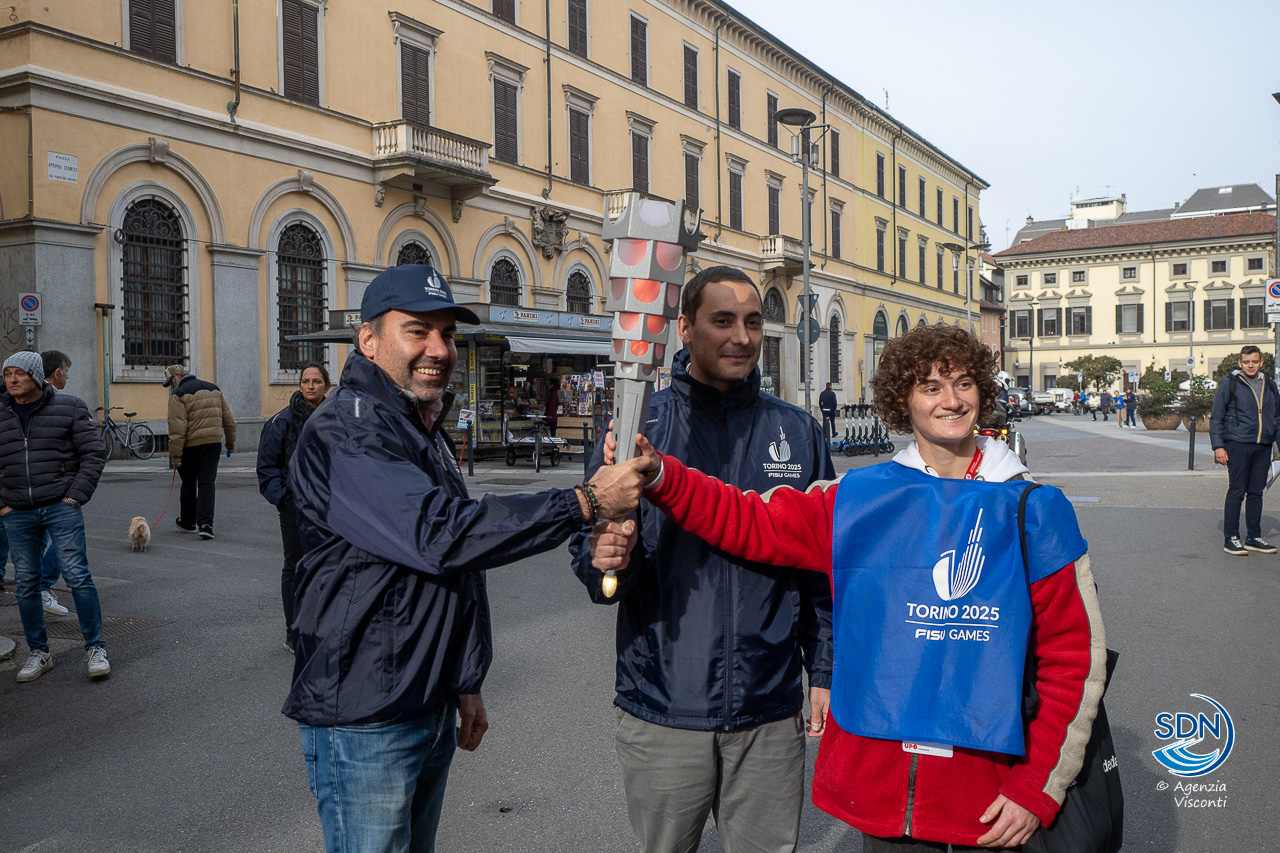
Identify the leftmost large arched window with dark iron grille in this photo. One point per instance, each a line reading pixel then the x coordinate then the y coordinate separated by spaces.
pixel 154 285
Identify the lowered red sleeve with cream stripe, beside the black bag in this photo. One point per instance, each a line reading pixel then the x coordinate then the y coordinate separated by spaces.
pixel 1071 650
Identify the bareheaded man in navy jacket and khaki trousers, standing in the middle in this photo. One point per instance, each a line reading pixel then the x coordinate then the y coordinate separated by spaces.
pixel 712 650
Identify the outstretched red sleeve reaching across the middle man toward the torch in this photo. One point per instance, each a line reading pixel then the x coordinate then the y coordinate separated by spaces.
pixel 784 527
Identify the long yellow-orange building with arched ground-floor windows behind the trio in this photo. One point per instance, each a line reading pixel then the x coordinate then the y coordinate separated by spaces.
pixel 199 181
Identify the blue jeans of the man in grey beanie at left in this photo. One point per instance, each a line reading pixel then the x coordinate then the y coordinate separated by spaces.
pixel 66 526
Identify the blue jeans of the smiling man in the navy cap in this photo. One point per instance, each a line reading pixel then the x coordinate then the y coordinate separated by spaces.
pixel 381 786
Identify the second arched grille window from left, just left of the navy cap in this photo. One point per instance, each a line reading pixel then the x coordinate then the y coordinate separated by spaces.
pixel 301 303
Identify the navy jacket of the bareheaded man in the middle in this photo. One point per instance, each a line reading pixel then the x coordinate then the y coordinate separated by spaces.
pixel 706 641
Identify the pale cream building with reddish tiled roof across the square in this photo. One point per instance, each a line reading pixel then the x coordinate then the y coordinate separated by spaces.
pixel 1178 295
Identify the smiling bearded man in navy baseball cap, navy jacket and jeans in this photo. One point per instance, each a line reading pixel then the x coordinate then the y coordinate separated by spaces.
pixel 391 612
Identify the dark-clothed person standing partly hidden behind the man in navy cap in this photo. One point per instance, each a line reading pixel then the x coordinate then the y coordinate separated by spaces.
pixel 275 451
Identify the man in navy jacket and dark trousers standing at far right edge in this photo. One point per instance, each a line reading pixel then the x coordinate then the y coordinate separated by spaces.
pixel 1242 430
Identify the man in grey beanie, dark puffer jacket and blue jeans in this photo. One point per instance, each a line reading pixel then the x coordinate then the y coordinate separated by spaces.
pixel 51 460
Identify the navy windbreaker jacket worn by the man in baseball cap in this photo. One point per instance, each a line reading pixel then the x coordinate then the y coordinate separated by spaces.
pixel 391 606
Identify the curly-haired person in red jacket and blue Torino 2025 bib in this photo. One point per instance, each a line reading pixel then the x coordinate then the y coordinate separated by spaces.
pixel 935 612
